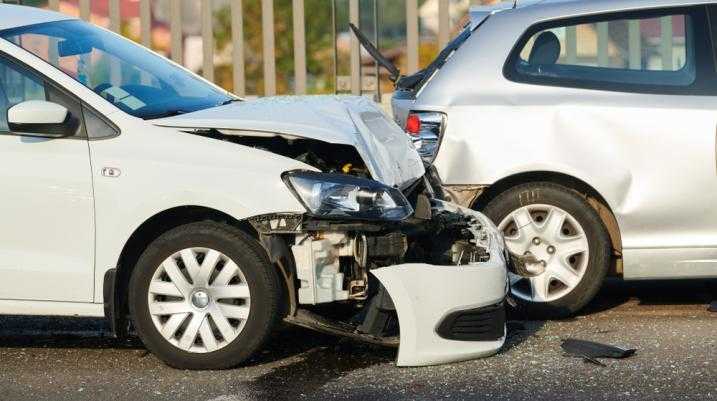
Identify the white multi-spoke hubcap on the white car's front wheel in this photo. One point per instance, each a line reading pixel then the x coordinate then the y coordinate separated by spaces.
pixel 199 300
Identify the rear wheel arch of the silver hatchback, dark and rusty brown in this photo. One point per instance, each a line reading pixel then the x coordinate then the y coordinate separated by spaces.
pixel 592 195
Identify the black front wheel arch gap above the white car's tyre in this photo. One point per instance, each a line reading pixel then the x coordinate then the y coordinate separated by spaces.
pixel 117 282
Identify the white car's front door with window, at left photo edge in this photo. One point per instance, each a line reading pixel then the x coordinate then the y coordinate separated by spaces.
pixel 46 201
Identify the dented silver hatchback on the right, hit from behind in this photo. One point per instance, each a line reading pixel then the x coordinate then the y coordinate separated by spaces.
pixel 586 130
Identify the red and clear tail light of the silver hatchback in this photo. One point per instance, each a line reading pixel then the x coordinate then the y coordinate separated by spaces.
pixel 425 129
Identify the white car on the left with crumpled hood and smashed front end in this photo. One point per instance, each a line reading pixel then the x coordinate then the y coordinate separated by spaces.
pixel 133 189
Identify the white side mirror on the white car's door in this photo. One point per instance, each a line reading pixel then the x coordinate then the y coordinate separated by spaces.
pixel 41 118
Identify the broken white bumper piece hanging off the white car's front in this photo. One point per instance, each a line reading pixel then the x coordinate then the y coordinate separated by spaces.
pixel 448 313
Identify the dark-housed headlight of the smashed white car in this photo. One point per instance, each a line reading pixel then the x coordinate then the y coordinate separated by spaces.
pixel 343 196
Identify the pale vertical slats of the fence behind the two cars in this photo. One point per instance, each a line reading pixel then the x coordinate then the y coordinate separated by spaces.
pixel 268 37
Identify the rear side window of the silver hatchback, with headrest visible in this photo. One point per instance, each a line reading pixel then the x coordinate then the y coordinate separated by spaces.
pixel 619 52
